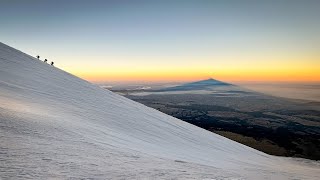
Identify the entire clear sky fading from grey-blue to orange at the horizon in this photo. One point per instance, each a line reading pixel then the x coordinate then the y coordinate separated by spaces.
pixel 169 40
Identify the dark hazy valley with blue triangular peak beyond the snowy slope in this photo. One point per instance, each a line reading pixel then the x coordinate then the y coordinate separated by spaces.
pixel 274 125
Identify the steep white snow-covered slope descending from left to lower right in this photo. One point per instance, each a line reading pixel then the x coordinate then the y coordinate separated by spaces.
pixel 55 125
